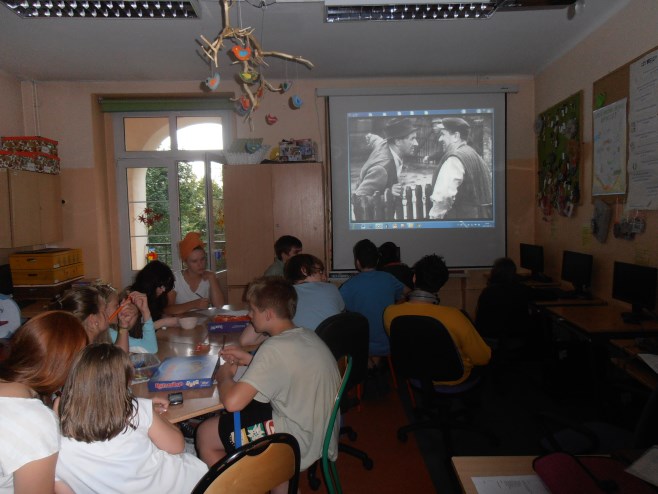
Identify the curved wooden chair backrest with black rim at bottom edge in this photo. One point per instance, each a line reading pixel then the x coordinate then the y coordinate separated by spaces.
pixel 255 468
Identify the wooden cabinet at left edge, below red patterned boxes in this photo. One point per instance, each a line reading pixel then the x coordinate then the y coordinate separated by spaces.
pixel 30 208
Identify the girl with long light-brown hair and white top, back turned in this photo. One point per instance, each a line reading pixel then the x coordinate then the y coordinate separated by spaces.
pixel 113 442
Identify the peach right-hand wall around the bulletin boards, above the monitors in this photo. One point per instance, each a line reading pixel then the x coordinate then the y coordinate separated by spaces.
pixel 626 36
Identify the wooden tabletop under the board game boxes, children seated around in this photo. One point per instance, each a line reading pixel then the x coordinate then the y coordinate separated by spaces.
pixel 181 342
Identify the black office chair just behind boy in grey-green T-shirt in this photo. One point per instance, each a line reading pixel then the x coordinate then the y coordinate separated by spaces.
pixel 346 334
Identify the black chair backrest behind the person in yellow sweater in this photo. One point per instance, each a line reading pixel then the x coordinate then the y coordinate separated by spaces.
pixel 422 348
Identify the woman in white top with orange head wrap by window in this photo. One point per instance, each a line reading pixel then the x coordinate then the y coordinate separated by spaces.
pixel 195 287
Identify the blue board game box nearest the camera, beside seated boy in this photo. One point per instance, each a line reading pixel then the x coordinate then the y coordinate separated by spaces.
pixel 180 373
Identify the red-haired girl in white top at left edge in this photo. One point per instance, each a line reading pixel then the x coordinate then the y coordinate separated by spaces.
pixel 42 351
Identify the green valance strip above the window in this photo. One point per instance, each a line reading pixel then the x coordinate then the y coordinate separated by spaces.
pixel 165 104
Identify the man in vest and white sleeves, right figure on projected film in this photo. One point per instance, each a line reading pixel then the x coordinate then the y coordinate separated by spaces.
pixel 463 188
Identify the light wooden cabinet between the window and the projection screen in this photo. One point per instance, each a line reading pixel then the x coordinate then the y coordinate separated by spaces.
pixel 263 202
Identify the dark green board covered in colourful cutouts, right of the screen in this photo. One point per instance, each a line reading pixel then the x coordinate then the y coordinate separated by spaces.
pixel 559 136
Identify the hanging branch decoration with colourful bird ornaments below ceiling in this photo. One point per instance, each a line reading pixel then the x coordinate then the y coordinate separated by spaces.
pixel 249 53
